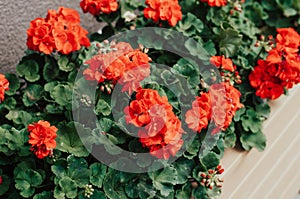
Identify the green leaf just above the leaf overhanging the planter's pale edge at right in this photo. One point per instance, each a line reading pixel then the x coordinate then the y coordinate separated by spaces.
pixel 251 121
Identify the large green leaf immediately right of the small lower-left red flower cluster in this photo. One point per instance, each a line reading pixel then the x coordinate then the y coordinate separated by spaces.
pixel 69 141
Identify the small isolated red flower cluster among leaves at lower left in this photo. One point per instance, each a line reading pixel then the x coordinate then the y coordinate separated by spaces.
pixel 42 138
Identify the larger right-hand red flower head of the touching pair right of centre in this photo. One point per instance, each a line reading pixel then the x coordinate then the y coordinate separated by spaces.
pixel 225 102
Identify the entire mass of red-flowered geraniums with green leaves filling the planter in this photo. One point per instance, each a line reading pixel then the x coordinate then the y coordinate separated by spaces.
pixel 145 107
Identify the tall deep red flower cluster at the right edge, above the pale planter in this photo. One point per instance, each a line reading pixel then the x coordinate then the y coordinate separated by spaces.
pixel 281 69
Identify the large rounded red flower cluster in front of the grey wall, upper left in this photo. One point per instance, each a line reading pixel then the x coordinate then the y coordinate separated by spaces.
pixel 60 31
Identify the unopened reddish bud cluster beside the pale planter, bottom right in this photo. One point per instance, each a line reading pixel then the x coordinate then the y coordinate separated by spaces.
pixel 211 178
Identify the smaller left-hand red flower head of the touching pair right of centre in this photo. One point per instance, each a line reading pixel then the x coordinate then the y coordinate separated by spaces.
pixel 198 117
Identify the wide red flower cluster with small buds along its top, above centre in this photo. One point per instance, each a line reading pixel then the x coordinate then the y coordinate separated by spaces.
pixel 123 64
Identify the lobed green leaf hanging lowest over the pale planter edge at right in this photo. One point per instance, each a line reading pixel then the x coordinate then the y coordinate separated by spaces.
pixel 257 140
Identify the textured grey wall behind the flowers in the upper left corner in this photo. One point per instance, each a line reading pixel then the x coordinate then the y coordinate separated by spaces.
pixel 15 17
